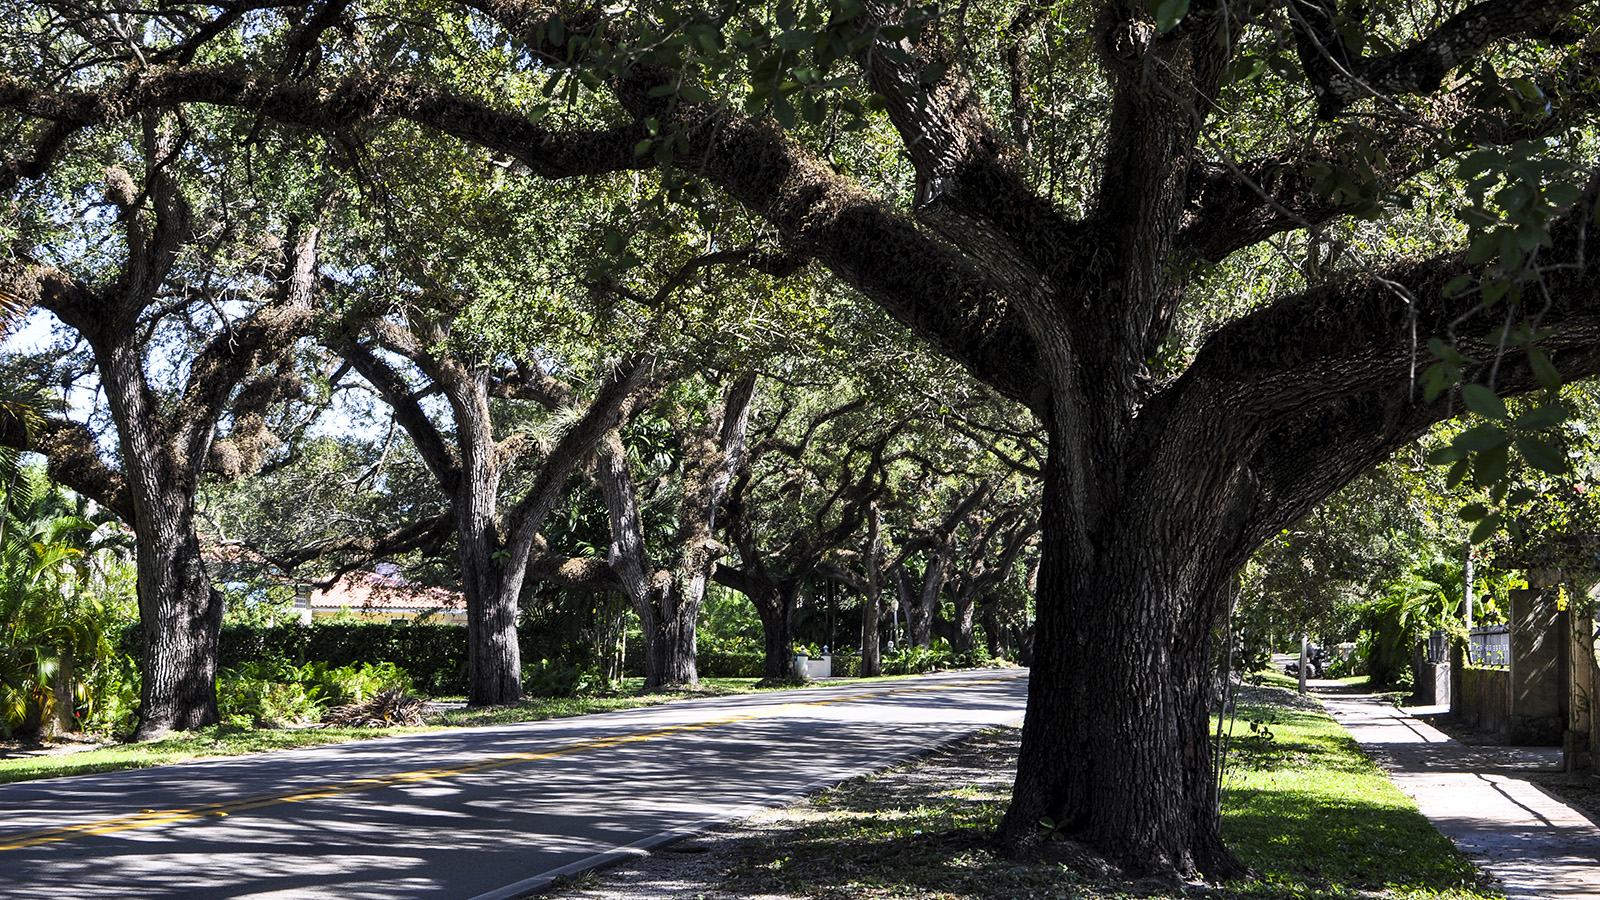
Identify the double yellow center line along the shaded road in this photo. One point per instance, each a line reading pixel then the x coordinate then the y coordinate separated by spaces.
pixel 150 818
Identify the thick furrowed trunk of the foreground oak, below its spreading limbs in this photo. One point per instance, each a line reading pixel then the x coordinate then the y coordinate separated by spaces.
pixel 1119 688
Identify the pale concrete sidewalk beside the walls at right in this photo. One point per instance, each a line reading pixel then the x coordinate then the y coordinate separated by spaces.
pixel 1532 842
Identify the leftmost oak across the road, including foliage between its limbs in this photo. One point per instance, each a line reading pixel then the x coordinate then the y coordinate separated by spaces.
pixel 175 292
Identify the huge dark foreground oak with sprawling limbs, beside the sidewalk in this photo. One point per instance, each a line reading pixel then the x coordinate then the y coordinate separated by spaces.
pixel 1078 174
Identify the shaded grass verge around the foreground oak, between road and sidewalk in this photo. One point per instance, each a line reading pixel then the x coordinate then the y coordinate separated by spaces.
pixel 1303 808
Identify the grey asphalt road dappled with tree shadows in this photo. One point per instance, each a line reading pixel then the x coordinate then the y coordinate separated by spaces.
pixel 481 814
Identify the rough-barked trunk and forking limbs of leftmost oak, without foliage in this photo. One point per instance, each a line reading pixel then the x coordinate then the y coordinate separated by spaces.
pixel 164 449
